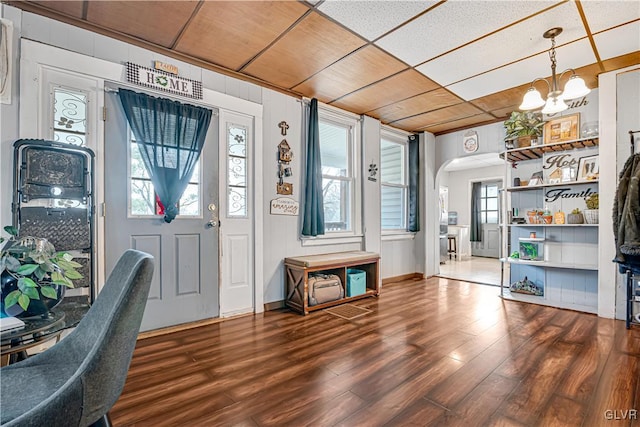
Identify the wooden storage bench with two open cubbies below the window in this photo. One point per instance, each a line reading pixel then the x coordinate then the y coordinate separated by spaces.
pixel 297 271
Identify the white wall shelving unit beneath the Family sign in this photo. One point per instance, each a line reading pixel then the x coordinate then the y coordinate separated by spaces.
pixel 568 277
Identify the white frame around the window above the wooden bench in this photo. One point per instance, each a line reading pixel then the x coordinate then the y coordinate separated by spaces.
pixel 352 122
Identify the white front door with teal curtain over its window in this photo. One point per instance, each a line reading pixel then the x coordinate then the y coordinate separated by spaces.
pixel 185 281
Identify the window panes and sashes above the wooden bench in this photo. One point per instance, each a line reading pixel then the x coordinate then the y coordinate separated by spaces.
pixel 337 139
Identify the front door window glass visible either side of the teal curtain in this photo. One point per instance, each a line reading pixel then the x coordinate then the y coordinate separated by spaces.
pixel 142 195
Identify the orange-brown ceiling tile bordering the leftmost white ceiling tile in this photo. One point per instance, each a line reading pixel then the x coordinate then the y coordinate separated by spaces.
pixel 313 44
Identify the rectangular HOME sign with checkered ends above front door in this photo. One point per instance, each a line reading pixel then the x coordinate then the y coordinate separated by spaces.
pixel 164 81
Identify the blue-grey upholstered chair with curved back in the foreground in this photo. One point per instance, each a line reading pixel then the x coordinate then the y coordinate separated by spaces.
pixel 77 381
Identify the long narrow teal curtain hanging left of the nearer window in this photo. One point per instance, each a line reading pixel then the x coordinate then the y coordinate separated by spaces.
pixel 313 220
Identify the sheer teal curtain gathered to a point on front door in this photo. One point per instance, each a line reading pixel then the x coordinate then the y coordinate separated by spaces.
pixel 170 136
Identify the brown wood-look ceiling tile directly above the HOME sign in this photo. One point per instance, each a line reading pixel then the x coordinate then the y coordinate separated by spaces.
pixel 160 25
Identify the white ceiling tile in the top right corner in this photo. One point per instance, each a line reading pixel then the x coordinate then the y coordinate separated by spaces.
pixel 602 15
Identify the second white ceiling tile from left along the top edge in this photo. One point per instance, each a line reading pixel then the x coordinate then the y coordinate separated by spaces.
pixel 453 24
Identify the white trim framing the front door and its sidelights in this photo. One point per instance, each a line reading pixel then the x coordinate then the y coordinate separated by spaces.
pixel 34 55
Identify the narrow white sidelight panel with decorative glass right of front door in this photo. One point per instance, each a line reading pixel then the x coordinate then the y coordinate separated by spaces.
pixel 236 195
